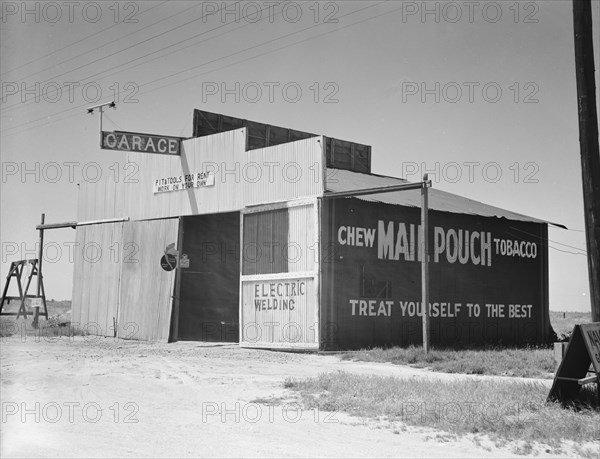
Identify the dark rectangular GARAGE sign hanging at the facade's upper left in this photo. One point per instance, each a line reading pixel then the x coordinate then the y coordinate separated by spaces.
pixel 143 143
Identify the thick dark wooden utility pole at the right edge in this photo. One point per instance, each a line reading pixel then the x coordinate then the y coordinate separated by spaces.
pixel 588 141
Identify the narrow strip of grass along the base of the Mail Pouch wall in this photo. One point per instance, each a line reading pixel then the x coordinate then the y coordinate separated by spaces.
pixel 531 362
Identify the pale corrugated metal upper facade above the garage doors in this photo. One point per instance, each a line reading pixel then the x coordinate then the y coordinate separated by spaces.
pixel 279 173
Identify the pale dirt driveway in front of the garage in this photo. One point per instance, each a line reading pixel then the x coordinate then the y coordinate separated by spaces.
pixel 100 397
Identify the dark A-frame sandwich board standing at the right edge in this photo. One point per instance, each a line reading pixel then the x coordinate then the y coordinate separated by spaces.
pixel 583 350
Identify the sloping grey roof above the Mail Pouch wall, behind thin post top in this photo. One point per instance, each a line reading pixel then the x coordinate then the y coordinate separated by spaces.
pixel 343 180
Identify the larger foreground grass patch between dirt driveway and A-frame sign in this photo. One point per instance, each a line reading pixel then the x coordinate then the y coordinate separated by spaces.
pixel 504 410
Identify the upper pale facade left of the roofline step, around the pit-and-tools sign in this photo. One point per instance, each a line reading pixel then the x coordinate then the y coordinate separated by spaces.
pixel 134 196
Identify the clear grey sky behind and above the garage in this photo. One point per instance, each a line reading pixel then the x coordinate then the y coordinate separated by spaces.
pixel 481 95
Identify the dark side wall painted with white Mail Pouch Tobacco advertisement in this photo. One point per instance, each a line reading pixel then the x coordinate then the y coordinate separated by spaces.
pixel 488 277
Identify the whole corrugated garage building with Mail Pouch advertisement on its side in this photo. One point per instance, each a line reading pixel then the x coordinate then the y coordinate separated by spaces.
pixel 230 237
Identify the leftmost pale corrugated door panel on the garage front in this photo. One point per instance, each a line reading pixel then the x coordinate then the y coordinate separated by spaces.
pixel 97 271
